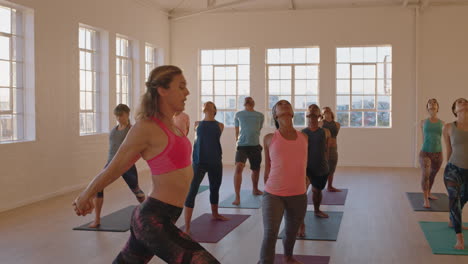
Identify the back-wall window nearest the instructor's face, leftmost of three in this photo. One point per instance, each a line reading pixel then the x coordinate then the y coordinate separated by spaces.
pixel 225 80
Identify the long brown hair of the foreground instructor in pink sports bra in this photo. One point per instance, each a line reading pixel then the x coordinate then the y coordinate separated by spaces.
pixel 160 76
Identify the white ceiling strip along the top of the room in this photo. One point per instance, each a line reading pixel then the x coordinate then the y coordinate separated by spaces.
pixel 181 8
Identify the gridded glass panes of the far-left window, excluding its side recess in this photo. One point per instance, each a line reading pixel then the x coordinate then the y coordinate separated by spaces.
pixel 11 75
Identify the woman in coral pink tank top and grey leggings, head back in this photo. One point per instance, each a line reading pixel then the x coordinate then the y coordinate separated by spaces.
pixel 285 185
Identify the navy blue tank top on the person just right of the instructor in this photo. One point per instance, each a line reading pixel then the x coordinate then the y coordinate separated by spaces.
pixel 207 146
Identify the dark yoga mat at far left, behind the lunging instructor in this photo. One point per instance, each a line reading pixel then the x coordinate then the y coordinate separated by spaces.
pixel 118 221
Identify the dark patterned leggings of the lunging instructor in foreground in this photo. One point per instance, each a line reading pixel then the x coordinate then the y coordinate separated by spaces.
pixel 153 232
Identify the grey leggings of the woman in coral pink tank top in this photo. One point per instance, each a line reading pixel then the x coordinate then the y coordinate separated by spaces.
pixel 294 210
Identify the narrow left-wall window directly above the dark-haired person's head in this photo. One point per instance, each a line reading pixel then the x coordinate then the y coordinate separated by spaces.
pixel 124 71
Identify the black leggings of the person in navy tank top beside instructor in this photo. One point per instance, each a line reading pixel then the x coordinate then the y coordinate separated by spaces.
pixel 215 176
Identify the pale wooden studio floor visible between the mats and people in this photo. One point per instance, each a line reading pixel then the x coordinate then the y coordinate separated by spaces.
pixel 378 225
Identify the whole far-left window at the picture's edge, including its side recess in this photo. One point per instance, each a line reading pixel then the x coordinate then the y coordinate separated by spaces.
pixel 16 93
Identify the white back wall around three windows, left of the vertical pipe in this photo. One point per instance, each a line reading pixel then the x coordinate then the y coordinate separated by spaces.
pixel 327 29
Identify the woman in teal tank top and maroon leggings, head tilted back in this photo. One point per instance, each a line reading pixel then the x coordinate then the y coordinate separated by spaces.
pixel 430 157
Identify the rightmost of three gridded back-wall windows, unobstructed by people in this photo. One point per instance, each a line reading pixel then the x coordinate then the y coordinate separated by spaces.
pixel 364 86
